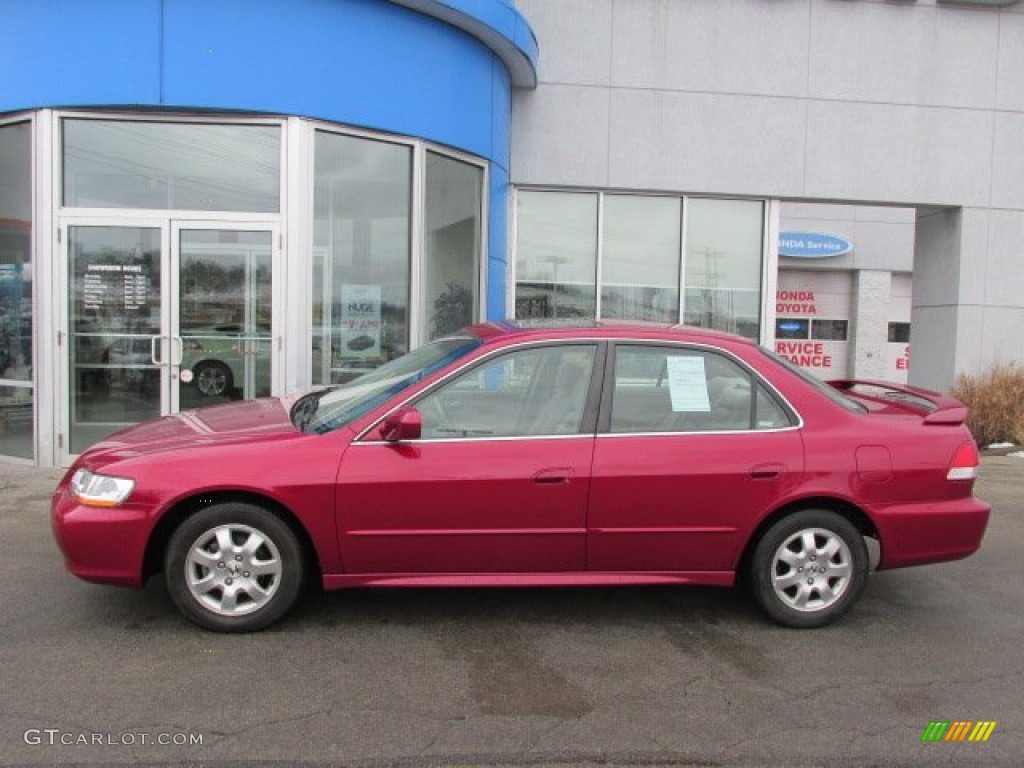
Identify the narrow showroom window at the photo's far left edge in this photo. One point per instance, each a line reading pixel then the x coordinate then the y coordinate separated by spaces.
pixel 16 291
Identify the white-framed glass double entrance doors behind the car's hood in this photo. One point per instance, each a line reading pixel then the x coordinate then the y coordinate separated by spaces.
pixel 164 317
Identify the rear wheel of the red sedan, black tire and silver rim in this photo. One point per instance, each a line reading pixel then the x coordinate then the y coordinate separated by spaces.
pixel 809 569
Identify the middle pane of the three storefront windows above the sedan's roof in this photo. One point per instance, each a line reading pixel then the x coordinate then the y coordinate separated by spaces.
pixel 641 262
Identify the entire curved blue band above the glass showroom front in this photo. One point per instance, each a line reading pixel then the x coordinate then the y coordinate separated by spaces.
pixel 366 63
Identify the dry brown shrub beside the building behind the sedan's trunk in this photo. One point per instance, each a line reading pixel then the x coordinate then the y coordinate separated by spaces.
pixel 997 402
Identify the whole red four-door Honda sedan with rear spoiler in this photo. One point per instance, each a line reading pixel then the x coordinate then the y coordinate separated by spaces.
pixel 608 455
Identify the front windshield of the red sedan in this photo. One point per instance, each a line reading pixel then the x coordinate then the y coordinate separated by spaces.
pixel 327 410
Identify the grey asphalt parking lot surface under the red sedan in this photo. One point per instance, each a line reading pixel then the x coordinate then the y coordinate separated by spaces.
pixel 95 675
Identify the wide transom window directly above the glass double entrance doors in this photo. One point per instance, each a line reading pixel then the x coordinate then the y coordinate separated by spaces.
pixel 172 166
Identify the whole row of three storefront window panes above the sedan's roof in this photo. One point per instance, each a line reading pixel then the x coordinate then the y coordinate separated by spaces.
pixel 567 242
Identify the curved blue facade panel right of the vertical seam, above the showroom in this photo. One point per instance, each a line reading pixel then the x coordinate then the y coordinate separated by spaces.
pixel 364 63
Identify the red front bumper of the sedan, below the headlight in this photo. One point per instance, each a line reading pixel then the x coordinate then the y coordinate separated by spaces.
pixel 105 545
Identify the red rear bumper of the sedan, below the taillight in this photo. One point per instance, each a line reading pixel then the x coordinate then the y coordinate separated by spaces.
pixel 936 532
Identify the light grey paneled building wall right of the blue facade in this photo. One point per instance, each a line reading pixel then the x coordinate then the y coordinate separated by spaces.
pixel 914 104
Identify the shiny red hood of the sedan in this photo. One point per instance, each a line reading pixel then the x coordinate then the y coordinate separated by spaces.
pixel 264 420
